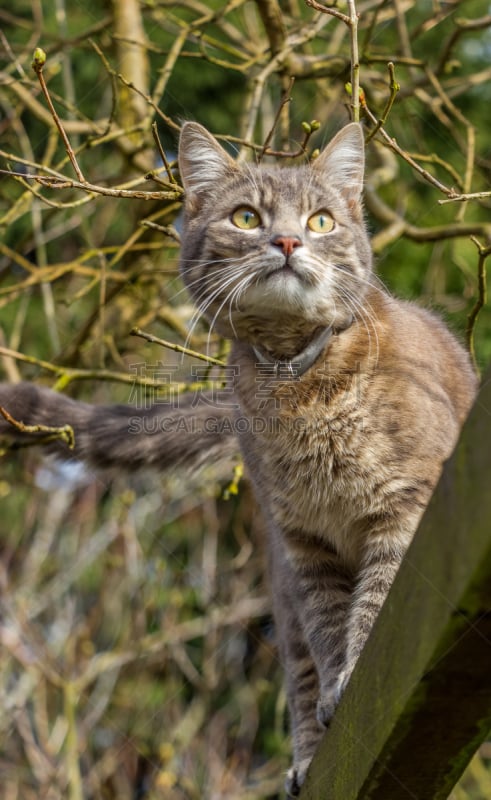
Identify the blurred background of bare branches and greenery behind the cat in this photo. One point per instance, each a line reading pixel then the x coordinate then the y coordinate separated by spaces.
pixel 138 657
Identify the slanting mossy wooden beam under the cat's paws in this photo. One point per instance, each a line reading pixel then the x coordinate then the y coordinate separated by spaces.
pixel 419 701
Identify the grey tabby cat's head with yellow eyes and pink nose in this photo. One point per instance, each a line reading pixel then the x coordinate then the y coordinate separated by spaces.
pixel 272 249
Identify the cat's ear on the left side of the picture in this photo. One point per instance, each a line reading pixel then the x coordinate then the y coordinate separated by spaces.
pixel 203 163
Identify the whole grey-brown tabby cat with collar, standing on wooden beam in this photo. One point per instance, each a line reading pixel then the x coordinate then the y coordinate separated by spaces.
pixel 346 401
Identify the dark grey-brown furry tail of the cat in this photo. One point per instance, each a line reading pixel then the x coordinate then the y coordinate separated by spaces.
pixel 192 432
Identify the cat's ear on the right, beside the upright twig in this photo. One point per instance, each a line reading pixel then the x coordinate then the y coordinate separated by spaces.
pixel 343 162
